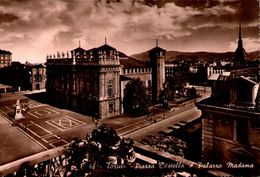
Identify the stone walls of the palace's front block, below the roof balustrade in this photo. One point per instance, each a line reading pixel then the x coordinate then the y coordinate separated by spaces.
pixel 84 88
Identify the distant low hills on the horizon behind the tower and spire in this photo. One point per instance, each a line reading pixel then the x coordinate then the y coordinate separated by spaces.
pixel 199 56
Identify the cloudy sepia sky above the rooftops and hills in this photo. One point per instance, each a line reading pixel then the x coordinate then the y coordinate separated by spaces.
pixel 31 29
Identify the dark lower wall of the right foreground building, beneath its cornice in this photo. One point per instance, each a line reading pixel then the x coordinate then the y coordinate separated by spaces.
pixel 222 136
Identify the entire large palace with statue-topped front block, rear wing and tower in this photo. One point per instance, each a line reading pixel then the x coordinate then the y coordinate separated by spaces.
pixel 93 81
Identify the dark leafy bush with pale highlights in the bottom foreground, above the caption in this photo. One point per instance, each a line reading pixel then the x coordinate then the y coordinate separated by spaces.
pixel 102 147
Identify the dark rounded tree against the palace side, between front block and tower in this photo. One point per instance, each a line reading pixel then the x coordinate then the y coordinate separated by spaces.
pixel 137 98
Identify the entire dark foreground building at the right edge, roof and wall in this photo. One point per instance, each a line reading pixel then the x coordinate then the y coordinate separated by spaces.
pixel 231 123
